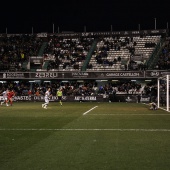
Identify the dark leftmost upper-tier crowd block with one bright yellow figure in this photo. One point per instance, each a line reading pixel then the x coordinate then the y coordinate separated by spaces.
pixel 14 50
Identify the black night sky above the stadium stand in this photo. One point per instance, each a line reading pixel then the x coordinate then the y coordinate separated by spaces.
pixel 77 16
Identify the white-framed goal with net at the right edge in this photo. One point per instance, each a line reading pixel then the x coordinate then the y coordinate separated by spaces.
pixel 163 92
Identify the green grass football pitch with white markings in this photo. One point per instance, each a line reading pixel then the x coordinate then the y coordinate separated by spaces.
pixel 84 136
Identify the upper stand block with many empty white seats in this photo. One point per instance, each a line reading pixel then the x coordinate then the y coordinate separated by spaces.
pixel 123 53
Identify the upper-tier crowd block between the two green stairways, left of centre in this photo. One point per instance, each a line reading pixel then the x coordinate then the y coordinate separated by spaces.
pixel 67 52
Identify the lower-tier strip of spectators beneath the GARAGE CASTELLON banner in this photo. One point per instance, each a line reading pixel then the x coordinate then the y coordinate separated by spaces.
pixel 86 88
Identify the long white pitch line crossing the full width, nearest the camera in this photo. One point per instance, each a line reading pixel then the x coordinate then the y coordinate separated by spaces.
pixel 145 130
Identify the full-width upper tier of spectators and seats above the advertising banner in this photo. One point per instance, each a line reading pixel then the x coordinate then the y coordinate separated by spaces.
pixel 69 53
